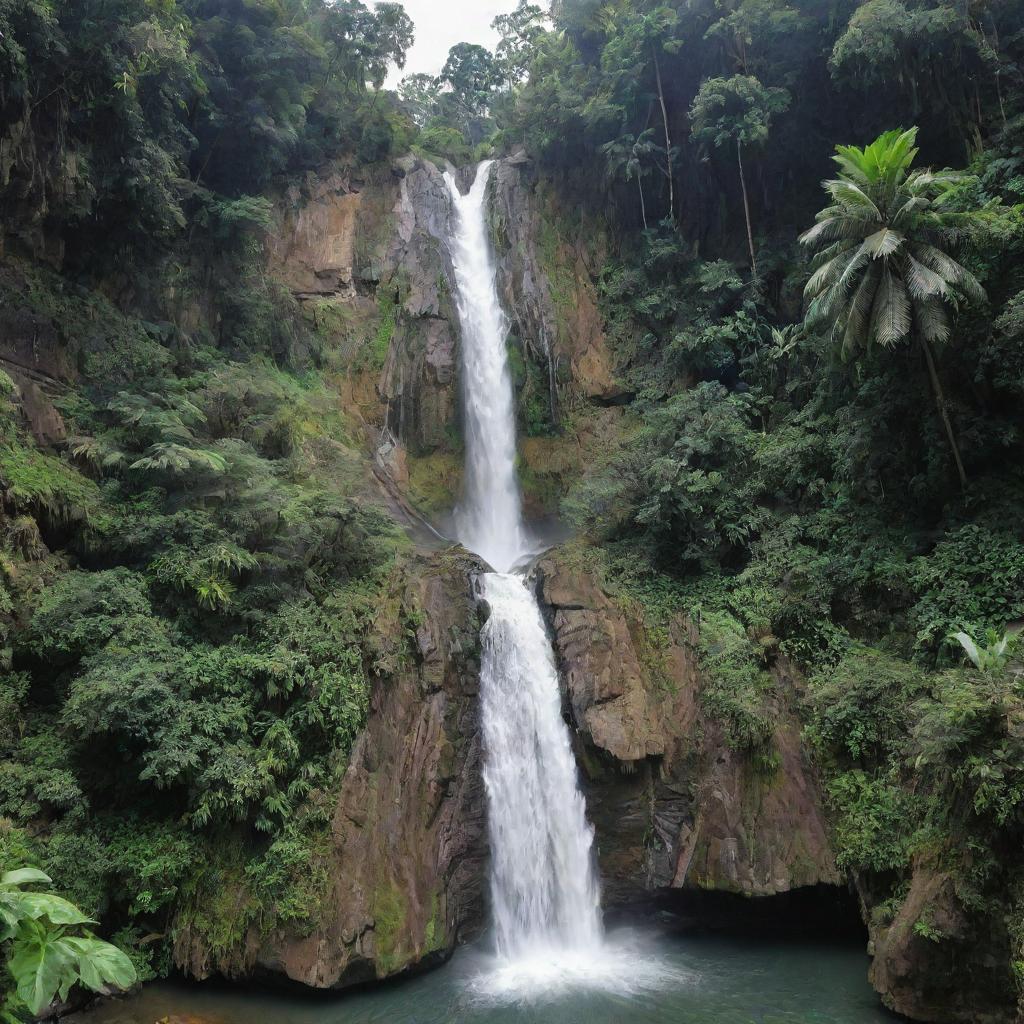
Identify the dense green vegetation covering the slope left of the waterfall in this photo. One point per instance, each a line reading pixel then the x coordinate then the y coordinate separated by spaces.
pixel 192 582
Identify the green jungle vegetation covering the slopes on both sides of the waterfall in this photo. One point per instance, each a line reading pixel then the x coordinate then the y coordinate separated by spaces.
pixel 820 462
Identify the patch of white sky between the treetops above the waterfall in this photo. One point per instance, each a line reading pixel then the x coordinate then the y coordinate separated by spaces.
pixel 442 24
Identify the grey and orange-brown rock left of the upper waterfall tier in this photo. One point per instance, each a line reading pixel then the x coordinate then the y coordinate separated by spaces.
pixel 370 255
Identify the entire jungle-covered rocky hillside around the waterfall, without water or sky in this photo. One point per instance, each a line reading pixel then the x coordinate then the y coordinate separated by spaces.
pixel 762 272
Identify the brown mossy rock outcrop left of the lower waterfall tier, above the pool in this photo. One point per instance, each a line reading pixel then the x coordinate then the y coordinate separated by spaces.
pixel 408 857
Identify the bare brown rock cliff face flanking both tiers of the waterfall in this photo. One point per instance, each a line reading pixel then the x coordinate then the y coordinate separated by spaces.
pixel 672 805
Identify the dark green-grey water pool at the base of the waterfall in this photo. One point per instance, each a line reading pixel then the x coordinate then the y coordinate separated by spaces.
pixel 702 980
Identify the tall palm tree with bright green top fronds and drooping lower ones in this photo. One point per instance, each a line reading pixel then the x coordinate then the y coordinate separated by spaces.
pixel 883 274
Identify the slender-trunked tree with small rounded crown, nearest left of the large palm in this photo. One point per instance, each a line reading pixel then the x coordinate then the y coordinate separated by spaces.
pixel 737 110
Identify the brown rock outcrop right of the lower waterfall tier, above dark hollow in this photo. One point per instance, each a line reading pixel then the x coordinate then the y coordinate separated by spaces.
pixel 673 807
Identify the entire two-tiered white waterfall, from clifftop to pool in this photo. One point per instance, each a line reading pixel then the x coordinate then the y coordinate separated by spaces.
pixel 543 884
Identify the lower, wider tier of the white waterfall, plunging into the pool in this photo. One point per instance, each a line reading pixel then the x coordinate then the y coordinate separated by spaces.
pixel 543 887
